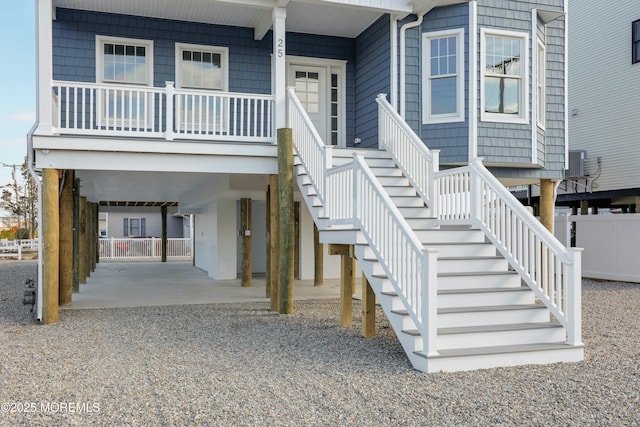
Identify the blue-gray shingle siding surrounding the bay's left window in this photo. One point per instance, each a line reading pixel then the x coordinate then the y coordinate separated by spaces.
pixel 452 139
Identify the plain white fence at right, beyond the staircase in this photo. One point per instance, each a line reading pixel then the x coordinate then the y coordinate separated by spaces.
pixel 611 244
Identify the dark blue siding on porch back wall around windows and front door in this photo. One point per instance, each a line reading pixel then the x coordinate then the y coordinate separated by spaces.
pixel 74 54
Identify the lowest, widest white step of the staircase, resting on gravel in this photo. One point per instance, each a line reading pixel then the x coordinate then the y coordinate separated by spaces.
pixel 499 356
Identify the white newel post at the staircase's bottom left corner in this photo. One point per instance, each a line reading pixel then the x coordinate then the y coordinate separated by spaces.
pixel 429 303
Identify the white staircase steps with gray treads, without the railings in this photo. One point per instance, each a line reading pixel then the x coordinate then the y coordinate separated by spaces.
pixel 486 316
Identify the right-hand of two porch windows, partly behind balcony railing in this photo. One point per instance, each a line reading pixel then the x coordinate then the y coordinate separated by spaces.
pixel 201 67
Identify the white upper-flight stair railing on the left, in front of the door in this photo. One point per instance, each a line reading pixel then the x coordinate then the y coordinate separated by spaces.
pixel 316 157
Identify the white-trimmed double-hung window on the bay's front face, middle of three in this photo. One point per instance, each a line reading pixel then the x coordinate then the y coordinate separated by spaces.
pixel 504 76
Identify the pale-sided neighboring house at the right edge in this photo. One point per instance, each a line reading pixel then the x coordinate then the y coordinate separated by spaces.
pixel 604 72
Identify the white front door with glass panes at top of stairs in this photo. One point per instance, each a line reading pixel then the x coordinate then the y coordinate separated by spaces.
pixel 310 83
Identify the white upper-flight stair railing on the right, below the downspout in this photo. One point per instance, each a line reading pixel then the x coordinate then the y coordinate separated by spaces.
pixel 417 162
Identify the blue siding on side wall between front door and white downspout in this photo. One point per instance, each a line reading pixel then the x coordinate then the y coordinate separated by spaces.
pixel 372 48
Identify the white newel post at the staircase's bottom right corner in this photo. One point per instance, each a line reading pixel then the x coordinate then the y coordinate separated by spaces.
pixel 574 298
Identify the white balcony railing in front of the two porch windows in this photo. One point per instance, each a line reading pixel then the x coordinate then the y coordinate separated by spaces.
pixel 168 113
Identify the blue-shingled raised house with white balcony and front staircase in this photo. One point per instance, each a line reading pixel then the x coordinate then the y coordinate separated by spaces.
pixel 148 102
